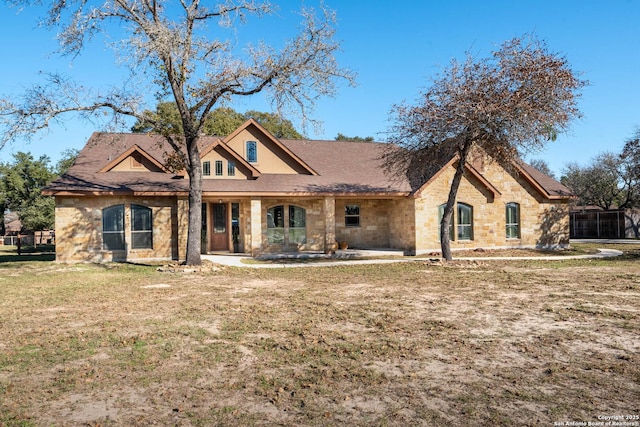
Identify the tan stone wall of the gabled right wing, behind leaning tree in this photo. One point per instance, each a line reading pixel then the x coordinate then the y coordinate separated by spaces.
pixel 543 223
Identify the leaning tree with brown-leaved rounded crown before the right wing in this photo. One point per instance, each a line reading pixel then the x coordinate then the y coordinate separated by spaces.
pixel 514 101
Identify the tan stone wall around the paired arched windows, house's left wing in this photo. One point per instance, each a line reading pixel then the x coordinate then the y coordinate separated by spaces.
pixel 79 229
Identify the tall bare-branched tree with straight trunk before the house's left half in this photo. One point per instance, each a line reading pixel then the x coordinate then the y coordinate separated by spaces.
pixel 171 54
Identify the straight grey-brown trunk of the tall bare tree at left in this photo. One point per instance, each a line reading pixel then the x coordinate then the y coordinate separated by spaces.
pixel 195 203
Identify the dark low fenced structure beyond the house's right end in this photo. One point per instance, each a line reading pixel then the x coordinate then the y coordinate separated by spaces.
pixel 597 225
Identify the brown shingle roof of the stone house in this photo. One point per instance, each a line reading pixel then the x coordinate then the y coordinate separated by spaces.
pixel 342 168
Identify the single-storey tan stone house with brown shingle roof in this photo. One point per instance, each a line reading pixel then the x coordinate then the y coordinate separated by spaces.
pixel 263 194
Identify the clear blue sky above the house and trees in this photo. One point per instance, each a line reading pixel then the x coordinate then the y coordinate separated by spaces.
pixel 396 49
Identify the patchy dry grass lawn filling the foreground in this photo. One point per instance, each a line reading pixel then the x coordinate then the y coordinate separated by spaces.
pixel 478 343
